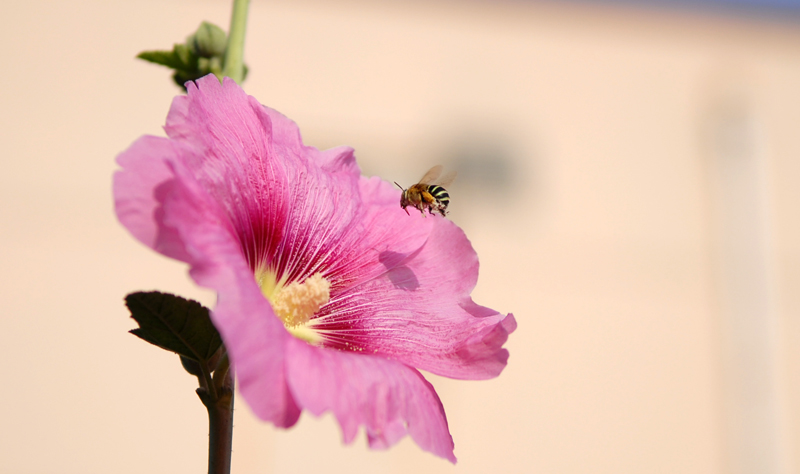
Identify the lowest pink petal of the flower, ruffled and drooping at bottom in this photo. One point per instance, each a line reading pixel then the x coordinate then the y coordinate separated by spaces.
pixel 388 398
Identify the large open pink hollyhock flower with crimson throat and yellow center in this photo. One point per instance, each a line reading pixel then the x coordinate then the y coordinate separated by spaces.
pixel 330 297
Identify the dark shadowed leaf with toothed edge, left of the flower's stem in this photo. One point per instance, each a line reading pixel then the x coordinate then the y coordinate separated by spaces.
pixel 175 324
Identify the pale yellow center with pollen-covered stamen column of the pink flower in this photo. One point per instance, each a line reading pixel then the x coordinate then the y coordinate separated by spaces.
pixel 296 303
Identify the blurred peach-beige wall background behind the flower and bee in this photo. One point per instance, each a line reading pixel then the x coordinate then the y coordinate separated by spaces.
pixel 627 173
